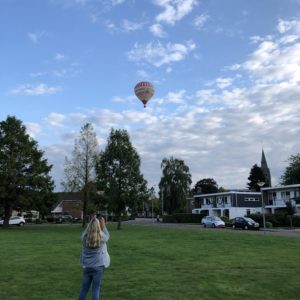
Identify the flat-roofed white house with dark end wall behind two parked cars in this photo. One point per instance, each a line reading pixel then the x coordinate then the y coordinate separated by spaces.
pixel 229 204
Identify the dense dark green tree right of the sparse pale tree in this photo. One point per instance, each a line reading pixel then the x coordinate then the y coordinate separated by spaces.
pixel 119 176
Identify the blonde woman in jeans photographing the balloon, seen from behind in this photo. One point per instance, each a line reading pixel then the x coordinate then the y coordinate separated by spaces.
pixel 93 257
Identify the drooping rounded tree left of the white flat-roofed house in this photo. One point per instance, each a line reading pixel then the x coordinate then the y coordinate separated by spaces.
pixel 174 184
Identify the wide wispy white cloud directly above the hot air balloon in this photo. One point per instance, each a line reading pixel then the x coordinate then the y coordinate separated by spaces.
pixel 159 54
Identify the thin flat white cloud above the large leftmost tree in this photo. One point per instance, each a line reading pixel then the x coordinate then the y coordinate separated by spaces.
pixel 38 90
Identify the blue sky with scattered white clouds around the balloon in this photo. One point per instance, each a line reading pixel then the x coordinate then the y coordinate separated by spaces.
pixel 226 76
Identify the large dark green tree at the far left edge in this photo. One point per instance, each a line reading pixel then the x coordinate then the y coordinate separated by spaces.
pixel 24 173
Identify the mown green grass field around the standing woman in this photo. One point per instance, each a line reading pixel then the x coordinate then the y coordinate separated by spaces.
pixel 42 262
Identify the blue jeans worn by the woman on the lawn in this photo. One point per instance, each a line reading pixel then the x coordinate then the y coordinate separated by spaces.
pixel 91 276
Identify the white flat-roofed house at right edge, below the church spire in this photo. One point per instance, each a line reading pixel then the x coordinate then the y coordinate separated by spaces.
pixel 274 198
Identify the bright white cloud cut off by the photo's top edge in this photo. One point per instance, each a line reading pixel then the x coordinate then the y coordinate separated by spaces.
pixel 174 10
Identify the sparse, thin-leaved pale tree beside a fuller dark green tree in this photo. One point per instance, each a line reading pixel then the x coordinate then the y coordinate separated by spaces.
pixel 80 168
